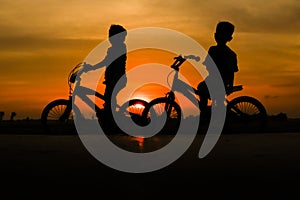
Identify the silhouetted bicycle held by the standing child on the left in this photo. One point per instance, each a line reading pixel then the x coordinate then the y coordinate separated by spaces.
pixel 59 113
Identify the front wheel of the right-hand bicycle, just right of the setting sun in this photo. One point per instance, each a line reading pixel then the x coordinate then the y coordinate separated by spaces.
pixel 164 108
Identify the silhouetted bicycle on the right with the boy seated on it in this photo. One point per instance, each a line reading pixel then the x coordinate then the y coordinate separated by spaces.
pixel 244 113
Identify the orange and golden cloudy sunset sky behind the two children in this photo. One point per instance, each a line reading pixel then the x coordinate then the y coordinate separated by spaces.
pixel 41 41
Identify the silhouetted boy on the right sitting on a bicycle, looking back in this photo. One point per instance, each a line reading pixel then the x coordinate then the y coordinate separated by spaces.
pixel 225 60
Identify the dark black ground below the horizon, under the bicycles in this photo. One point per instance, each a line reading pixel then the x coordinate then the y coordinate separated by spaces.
pixel 241 166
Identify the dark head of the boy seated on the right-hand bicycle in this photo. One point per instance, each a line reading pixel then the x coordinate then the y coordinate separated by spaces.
pixel 224 31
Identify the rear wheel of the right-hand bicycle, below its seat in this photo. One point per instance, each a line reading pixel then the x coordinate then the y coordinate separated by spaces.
pixel 246 114
